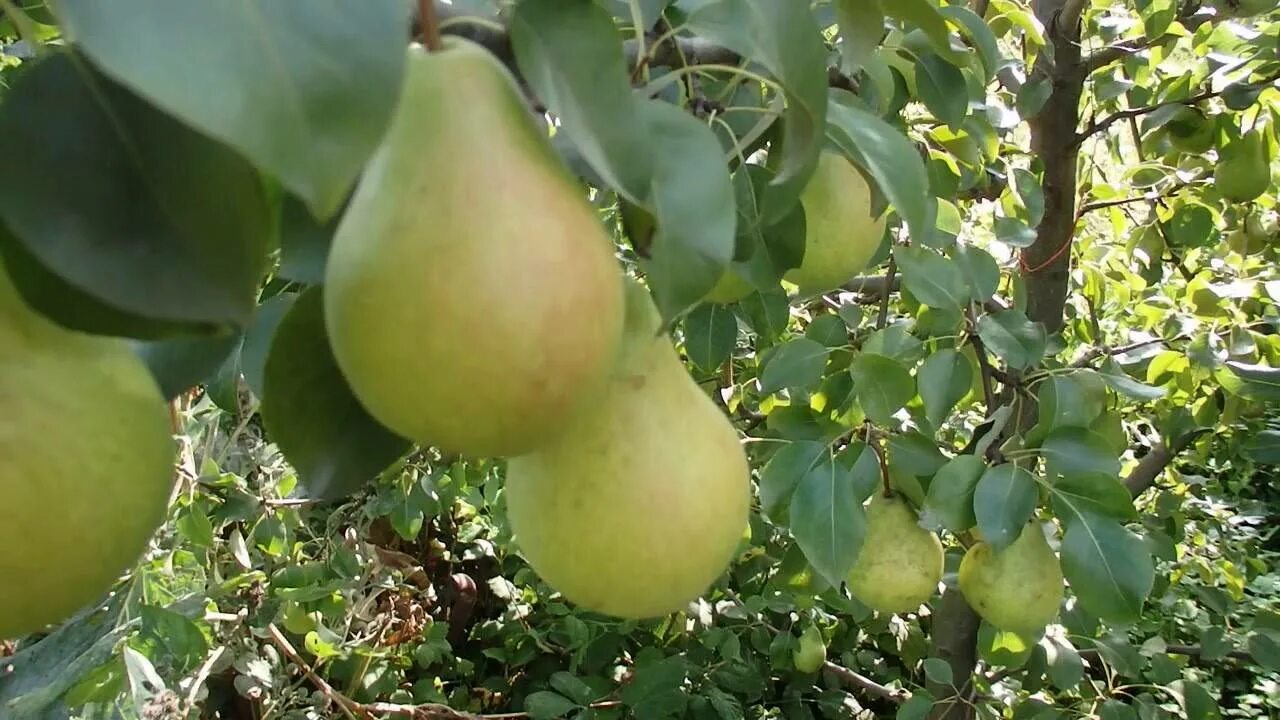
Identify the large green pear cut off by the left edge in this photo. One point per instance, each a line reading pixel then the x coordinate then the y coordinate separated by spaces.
pixel 86 466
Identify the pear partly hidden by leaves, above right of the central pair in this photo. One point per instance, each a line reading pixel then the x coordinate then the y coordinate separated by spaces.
pixel 842 231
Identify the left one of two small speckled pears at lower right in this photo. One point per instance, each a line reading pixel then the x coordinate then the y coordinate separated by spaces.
pixel 900 564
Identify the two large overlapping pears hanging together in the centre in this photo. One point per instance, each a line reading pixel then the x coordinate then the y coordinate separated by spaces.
pixel 474 304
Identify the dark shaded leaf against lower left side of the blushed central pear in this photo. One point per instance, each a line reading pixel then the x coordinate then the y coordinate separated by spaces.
pixel 312 414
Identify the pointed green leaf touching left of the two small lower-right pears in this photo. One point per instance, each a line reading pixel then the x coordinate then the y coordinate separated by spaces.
pixel 828 520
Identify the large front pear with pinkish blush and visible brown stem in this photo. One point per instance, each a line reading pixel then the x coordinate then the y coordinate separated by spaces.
pixel 472 297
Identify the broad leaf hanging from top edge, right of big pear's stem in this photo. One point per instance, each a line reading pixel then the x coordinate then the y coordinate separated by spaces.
pixel 569 53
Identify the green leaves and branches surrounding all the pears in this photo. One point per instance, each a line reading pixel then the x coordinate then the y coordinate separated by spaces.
pixel 1069 321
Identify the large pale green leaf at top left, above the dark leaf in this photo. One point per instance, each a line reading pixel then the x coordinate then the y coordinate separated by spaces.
pixel 263 81
